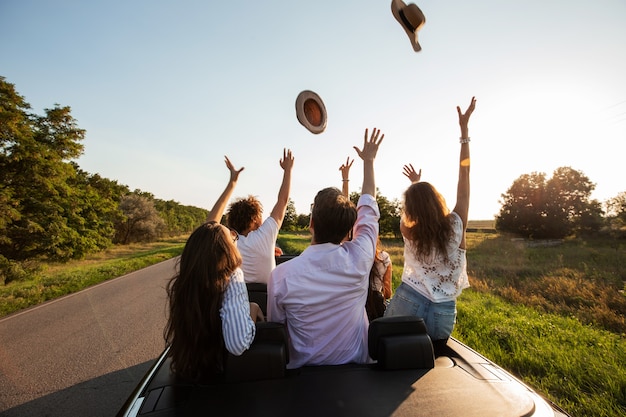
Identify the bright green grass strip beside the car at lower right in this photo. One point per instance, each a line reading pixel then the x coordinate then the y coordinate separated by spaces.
pixel 579 367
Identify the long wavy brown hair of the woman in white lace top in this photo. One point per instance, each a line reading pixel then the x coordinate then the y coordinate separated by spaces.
pixel 428 220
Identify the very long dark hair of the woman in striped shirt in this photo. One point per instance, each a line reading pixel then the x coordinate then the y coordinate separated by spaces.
pixel 194 326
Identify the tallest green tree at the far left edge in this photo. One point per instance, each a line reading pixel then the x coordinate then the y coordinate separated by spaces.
pixel 38 206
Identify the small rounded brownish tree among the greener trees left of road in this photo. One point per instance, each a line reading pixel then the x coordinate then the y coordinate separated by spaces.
pixel 141 221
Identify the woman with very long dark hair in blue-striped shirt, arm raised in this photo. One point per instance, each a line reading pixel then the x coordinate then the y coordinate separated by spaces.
pixel 209 311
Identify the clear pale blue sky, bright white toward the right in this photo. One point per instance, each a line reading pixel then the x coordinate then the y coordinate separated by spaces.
pixel 166 89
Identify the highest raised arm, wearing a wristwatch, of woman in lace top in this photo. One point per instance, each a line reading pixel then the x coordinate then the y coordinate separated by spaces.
pixel 463 187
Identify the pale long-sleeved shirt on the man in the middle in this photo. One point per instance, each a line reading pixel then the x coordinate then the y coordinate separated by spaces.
pixel 321 294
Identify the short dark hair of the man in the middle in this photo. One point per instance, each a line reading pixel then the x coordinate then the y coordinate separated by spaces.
pixel 333 216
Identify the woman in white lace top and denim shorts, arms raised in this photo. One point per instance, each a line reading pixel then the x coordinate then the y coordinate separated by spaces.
pixel 434 247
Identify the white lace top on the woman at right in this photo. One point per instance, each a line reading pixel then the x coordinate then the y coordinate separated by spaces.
pixel 439 279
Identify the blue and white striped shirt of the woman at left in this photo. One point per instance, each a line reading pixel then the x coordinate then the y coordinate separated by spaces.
pixel 237 325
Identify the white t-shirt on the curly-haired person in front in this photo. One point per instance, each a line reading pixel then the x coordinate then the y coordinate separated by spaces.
pixel 257 251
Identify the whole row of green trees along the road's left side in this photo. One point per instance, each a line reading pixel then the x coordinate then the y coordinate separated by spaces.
pixel 52 210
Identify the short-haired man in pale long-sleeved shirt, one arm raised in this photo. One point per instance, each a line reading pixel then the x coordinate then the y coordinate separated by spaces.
pixel 321 294
